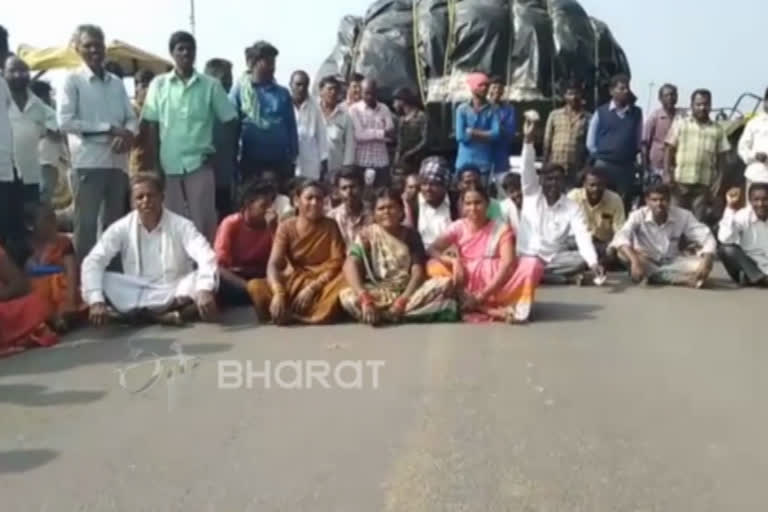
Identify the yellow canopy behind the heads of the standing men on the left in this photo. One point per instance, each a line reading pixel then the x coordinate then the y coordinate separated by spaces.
pixel 128 57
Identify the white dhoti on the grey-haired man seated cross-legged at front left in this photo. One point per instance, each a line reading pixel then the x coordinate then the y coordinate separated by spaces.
pixel 128 293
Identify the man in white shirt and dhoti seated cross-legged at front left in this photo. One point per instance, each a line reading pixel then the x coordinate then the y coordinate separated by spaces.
pixel 159 251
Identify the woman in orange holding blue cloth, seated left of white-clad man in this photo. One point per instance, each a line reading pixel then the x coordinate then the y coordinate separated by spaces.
pixel 53 268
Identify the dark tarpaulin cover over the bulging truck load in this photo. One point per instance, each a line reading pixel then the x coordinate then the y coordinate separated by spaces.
pixel 430 46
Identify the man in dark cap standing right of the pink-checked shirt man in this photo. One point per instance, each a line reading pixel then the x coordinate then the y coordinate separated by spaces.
pixel 411 131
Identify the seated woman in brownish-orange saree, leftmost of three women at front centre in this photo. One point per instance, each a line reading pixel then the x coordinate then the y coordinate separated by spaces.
pixel 311 244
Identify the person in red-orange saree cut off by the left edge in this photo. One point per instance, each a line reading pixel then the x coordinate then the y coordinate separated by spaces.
pixel 22 314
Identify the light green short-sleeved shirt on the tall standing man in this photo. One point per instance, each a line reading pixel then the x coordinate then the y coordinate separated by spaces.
pixel 186 113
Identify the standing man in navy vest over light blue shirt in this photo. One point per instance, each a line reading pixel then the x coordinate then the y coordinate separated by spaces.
pixel 615 136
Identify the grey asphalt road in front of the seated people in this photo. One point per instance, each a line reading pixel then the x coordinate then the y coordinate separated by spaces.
pixel 615 399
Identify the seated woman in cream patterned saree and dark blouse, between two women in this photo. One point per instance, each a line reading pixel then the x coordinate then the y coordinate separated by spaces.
pixel 386 274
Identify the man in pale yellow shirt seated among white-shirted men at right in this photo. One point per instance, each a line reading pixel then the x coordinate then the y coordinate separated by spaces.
pixel 604 209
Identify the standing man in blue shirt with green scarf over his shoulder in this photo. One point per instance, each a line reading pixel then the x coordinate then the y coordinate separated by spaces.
pixel 268 135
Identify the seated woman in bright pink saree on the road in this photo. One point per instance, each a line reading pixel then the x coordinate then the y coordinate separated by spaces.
pixel 489 285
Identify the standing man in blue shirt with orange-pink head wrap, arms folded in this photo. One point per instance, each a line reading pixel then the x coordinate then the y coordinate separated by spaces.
pixel 477 128
